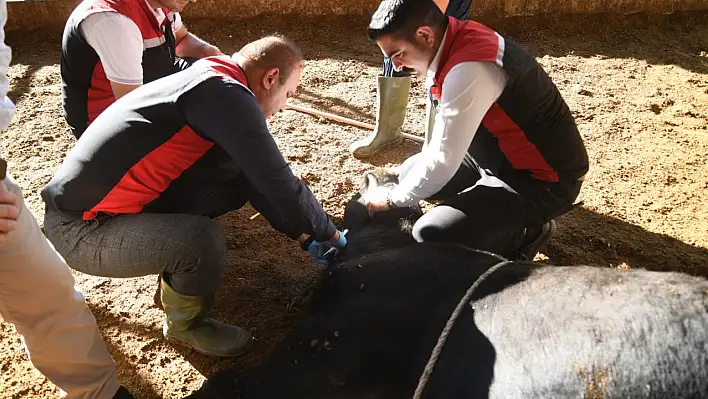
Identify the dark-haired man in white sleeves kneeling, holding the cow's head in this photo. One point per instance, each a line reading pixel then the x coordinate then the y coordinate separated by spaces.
pixel 503 155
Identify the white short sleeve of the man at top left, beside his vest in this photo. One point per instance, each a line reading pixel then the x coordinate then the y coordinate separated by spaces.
pixel 119 44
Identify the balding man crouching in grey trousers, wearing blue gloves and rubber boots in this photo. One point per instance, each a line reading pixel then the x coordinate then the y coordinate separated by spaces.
pixel 137 194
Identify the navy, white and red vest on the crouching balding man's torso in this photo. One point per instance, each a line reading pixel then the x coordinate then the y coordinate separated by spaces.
pixel 141 149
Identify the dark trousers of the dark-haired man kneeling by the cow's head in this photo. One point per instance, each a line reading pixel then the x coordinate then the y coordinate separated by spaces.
pixel 482 211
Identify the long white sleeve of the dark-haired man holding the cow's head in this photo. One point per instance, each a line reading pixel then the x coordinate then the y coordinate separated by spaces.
pixel 470 89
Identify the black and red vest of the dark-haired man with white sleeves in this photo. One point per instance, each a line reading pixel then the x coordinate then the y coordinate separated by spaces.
pixel 529 131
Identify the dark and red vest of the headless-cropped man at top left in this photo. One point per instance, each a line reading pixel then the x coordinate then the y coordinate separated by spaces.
pixel 86 91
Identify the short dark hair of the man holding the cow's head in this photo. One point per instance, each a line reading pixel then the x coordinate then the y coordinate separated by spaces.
pixel 402 18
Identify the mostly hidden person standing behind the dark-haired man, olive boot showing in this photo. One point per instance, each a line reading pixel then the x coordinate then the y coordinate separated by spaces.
pixel 393 88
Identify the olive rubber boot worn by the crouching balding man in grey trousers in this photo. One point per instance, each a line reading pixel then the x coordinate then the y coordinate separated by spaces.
pixel 186 323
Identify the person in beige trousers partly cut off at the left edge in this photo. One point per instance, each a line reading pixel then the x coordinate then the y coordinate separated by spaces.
pixel 37 291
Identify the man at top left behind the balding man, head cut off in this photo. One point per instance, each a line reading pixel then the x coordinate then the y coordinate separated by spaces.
pixel 111 47
